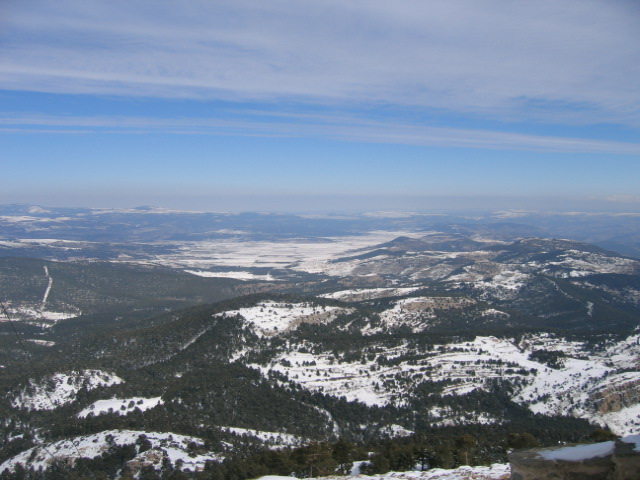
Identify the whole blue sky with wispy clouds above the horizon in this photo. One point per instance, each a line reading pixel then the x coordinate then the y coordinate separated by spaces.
pixel 321 105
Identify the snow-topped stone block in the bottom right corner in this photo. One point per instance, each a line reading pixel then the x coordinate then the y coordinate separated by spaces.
pixel 619 460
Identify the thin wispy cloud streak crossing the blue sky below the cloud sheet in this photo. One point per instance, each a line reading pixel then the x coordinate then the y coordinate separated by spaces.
pixel 337 127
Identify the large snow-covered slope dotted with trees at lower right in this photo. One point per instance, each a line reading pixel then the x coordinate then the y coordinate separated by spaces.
pixel 574 388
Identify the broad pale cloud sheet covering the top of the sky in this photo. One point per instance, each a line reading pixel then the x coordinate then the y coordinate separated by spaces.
pixel 573 62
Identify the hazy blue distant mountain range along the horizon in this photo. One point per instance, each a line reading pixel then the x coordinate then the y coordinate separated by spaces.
pixel 617 231
